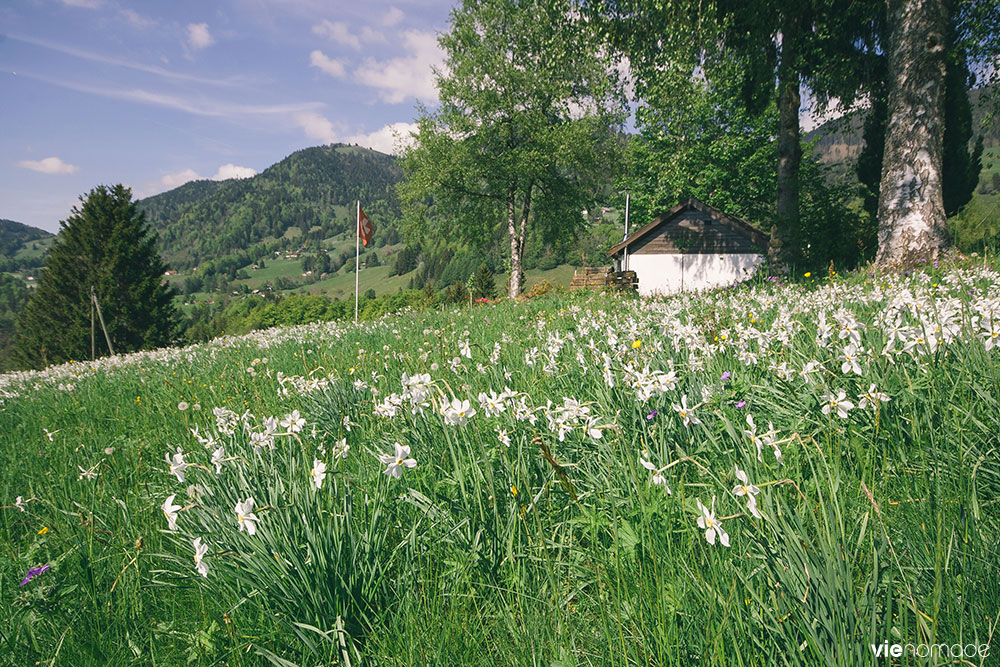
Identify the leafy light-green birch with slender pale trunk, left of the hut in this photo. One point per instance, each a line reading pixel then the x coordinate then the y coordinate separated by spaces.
pixel 523 135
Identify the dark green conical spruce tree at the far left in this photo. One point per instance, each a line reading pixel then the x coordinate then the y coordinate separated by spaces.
pixel 106 245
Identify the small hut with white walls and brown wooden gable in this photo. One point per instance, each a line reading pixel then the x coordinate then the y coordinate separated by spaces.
pixel 692 246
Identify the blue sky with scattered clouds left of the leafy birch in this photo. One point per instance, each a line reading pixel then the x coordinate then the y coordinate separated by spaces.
pixel 153 94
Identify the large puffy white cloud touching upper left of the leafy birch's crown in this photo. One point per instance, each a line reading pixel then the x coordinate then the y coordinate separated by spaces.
pixel 408 76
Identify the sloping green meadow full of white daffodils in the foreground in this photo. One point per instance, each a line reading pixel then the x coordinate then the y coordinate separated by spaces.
pixel 786 474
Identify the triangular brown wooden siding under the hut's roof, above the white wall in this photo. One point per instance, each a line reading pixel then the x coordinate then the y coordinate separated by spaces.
pixel 693 232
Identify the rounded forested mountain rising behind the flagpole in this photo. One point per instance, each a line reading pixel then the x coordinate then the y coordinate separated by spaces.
pixel 313 190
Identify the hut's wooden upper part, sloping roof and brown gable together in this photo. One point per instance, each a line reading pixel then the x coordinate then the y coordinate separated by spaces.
pixel 729 227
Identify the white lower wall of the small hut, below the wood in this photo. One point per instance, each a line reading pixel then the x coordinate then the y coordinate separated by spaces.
pixel 669 274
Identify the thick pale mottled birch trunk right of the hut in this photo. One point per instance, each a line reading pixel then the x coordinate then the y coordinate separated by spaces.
pixel 911 218
